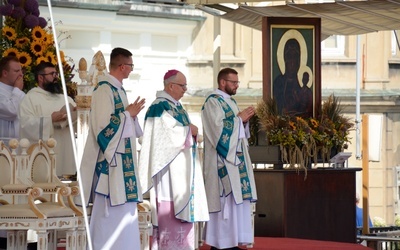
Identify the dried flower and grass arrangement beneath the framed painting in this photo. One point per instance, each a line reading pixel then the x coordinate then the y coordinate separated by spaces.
pixel 302 139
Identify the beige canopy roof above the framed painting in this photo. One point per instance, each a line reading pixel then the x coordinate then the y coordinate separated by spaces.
pixel 338 18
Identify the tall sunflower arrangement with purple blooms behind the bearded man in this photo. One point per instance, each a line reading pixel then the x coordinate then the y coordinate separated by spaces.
pixel 25 35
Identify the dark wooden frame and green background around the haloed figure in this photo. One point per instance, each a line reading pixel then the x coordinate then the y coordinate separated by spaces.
pixel 270 26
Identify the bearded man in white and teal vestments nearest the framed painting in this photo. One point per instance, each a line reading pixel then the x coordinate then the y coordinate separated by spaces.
pixel 228 172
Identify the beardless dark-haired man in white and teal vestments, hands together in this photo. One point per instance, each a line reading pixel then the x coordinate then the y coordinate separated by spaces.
pixel 109 171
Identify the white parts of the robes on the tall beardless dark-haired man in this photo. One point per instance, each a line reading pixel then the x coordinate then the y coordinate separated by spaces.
pixel 113 221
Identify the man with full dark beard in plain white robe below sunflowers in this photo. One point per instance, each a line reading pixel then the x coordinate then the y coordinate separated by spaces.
pixel 43 115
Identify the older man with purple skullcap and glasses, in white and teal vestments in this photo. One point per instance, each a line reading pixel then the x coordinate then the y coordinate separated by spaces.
pixel 170 167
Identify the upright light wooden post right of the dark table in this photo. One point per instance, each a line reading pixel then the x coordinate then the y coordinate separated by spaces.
pixel 365 173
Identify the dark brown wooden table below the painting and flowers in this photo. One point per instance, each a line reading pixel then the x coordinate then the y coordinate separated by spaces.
pixel 319 205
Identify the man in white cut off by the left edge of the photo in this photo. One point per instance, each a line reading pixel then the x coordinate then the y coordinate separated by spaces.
pixel 11 95
